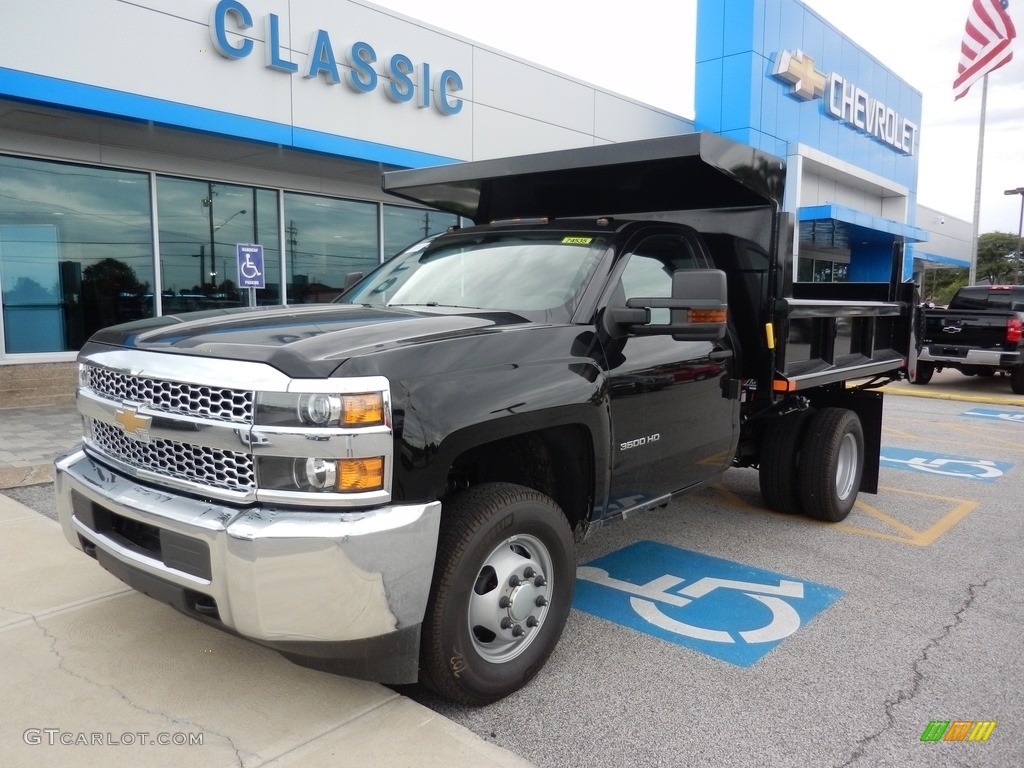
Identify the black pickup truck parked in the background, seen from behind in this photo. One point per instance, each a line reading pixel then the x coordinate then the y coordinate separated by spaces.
pixel 978 334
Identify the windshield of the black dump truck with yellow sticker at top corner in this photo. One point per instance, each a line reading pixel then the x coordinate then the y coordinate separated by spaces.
pixel 522 273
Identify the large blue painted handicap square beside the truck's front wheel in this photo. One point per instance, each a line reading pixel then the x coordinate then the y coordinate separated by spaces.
pixel 733 612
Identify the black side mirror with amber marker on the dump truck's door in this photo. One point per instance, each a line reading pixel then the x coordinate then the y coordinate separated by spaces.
pixel 698 310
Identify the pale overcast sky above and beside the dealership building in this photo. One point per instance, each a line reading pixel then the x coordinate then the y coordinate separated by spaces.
pixel 649 55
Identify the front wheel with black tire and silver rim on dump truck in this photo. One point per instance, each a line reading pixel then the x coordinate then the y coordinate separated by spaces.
pixel 503 588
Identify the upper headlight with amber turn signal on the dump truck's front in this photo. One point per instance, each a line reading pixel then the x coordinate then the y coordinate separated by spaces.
pixel 321 410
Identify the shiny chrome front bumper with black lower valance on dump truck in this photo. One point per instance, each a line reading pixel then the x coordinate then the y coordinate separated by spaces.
pixel 316 585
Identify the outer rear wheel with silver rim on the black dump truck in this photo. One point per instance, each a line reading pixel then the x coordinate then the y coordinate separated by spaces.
pixel 832 464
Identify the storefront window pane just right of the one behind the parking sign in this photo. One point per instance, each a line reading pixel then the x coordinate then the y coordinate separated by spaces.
pixel 326 240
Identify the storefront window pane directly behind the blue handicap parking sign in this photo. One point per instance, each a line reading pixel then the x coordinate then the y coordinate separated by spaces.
pixel 201 223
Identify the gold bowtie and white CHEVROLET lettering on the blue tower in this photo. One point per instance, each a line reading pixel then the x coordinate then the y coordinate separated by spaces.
pixel 845 102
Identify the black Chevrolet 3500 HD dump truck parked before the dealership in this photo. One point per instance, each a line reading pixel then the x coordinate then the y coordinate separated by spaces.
pixel 393 487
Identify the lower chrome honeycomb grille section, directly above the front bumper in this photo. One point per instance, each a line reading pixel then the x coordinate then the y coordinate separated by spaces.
pixel 219 468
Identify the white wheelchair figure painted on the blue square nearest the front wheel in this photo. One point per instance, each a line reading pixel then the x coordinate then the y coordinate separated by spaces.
pixel 646 600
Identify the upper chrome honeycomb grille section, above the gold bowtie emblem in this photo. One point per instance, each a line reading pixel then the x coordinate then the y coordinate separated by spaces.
pixel 210 403
